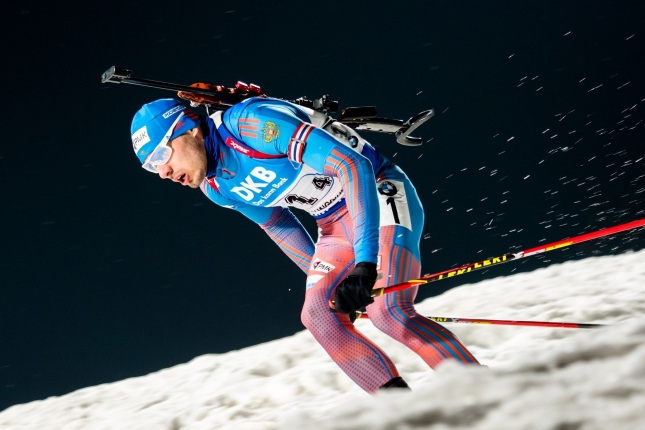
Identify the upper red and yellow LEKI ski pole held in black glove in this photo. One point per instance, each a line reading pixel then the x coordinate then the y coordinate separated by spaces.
pixel 425 279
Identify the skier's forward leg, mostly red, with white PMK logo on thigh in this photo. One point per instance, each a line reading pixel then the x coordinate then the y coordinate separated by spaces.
pixel 363 361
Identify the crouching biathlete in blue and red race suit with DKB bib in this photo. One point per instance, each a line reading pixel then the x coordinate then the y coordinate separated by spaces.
pixel 263 156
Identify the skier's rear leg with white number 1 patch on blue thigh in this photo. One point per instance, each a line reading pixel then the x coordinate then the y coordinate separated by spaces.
pixel 399 256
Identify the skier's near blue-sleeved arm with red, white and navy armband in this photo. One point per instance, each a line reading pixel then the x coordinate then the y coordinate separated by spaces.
pixel 327 155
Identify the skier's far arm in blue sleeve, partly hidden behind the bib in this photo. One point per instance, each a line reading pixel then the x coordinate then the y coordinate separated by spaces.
pixel 279 223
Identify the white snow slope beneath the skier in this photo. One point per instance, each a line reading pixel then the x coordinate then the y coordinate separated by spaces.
pixel 537 378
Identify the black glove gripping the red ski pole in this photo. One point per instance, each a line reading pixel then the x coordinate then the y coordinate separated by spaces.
pixel 355 290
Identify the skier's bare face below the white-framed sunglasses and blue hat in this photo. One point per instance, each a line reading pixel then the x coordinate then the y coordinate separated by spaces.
pixel 187 164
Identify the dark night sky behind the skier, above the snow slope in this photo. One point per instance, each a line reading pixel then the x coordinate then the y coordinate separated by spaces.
pixel 107 272
